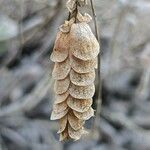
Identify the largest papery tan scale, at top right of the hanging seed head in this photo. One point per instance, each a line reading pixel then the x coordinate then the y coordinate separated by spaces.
pixel 83 42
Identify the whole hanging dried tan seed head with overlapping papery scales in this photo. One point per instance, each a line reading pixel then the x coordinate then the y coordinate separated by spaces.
pixel 75 55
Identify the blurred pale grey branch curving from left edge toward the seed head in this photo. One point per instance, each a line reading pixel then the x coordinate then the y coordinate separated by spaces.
pixel 30 101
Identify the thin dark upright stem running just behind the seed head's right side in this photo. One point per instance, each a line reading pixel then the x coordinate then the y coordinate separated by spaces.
pixel 99 87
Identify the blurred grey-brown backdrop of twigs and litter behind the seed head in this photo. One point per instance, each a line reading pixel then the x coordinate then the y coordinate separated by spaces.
pixel 27 32
